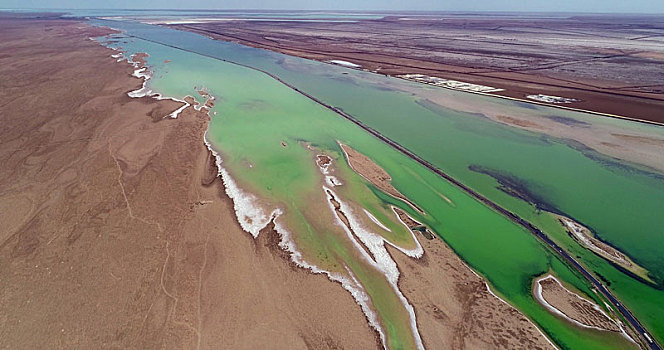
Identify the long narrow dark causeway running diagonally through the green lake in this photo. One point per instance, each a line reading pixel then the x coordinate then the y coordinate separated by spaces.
pixel 634 323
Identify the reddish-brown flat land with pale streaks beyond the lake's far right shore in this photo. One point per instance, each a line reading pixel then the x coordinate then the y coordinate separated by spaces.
pixel 611 64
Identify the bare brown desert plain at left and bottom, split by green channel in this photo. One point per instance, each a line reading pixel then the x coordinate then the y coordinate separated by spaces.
pixel 116 232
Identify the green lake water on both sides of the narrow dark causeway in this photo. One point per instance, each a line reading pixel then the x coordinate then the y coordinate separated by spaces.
pixel 255 113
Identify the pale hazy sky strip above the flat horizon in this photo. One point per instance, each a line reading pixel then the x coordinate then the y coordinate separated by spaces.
pixel 639 6
